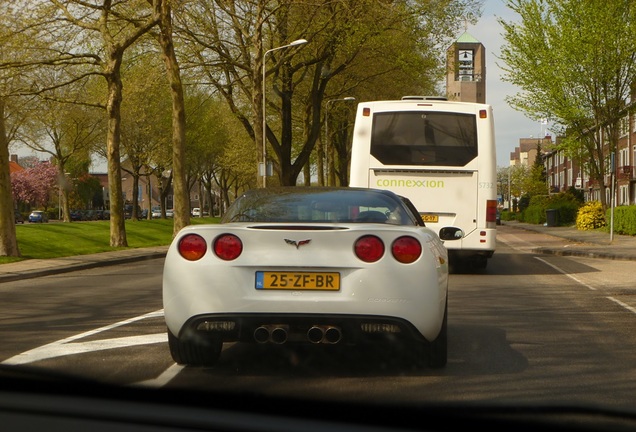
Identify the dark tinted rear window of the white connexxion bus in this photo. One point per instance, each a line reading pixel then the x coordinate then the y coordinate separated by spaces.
pixel 424 138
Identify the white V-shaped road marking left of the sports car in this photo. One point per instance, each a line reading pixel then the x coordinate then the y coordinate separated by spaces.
pixel 65 346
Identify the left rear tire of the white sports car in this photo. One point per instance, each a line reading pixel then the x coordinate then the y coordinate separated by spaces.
pixel 195 349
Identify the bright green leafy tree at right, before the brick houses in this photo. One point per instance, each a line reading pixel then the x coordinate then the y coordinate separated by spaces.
pixel 575 63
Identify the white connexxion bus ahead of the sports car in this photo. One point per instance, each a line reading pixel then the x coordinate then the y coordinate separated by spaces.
pixel 441 155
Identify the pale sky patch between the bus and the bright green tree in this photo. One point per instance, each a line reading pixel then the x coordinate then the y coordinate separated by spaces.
pixel 510 124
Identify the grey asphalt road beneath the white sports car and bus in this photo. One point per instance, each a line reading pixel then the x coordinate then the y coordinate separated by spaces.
pixel 532 328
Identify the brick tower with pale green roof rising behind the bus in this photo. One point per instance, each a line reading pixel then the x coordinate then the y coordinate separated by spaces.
pixel 466 70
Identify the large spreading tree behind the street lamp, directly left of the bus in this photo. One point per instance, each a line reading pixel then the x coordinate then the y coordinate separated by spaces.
pixel 228 41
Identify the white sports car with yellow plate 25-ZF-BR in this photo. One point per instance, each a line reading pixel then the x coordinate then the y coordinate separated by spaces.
pixel 308 265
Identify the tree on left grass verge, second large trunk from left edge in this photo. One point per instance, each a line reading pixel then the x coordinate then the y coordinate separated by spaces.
pixel 78 40
